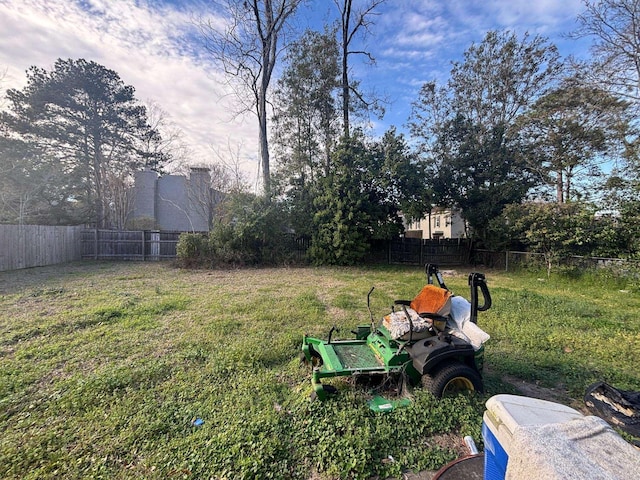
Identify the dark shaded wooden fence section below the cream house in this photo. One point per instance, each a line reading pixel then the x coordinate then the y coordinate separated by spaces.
pixel 418 251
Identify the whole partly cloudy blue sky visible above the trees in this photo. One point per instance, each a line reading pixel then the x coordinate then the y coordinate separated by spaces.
pixel 151 45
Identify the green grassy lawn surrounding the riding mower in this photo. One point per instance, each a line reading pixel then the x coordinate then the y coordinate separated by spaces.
pixel 105 366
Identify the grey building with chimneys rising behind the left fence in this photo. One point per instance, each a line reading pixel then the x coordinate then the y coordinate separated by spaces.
pixel 173 202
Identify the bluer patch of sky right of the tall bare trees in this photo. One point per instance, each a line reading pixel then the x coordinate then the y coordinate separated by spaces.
pixel 418 39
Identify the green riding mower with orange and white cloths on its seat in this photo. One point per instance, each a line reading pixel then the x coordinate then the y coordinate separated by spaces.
pixel 431 340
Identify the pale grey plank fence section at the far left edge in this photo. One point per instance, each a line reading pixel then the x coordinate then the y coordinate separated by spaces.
pixel 24 246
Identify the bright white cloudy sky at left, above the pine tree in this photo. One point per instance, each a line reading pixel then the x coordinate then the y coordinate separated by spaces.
pixel 150 47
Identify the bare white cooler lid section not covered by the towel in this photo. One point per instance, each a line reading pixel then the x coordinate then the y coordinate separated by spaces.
pixel 514 410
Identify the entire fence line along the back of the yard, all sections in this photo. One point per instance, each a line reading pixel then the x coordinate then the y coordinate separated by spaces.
pixel 24 246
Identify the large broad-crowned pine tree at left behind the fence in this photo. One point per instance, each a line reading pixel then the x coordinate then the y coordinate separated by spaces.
pixel 88 128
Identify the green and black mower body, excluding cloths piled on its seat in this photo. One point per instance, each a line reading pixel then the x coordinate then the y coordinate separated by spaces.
pixel 443 362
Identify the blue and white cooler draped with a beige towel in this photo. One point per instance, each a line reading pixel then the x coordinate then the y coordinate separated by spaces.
pixel 530 438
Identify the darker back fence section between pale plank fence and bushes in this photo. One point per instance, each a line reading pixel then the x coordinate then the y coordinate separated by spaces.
pixel 129 244
